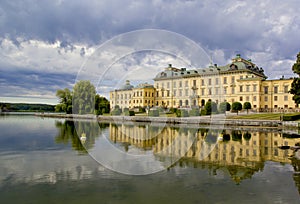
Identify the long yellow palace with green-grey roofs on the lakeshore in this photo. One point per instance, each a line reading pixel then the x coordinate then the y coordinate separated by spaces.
pixel 241 81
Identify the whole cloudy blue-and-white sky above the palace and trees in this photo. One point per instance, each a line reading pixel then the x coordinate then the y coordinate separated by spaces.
pixel 45 45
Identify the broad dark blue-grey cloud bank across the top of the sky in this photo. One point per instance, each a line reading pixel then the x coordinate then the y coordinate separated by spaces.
pixel 235 26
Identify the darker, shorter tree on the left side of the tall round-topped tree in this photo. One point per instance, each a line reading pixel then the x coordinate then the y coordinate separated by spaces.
pixel 65 101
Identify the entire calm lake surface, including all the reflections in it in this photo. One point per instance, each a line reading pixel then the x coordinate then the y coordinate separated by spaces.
pixel 44 161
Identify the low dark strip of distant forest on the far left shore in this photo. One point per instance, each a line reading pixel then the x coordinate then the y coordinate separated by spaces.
pixel 24 107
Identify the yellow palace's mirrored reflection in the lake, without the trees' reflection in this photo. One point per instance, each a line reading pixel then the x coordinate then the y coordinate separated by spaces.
pixel 241 153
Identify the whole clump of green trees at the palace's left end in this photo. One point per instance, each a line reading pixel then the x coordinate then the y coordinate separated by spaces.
pixel 81 100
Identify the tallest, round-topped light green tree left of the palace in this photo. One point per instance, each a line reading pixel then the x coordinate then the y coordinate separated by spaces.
pixel 84 93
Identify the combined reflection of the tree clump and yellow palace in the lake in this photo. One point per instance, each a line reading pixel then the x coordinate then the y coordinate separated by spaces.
pixel 242 153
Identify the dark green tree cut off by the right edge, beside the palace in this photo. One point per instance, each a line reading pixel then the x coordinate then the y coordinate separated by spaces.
pixel 295 88
